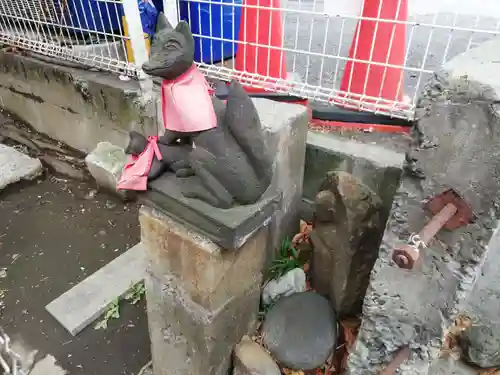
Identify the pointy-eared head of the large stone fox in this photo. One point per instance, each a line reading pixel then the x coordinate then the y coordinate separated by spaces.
pixel 172 50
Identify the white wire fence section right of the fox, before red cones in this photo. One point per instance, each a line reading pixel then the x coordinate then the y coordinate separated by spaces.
pixel 318 35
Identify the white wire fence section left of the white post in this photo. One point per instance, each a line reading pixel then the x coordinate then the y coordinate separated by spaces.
pixel 86 32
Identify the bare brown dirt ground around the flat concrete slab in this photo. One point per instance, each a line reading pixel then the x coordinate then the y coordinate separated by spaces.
pixel 55 232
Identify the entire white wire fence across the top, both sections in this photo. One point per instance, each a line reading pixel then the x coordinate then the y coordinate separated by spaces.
pixel 317 36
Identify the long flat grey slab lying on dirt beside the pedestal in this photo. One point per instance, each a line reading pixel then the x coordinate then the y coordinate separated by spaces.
pixel 85 302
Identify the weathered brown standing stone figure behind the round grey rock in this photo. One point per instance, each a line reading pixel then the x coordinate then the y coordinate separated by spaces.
pixel 347 229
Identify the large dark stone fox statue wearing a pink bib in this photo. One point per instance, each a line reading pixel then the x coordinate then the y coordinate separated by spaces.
pixel 217 150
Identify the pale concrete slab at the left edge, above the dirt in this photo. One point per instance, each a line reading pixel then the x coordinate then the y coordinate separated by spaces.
pixel 16 166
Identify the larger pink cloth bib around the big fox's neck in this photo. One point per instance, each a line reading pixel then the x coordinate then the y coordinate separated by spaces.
pixel 186 103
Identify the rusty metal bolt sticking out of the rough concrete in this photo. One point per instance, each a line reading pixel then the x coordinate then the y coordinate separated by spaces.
pixel 450 211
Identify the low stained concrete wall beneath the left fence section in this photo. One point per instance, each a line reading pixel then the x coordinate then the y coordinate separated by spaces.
pixel 78 107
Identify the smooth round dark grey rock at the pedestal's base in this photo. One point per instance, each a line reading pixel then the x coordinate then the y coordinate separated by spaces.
pixel 300 331
